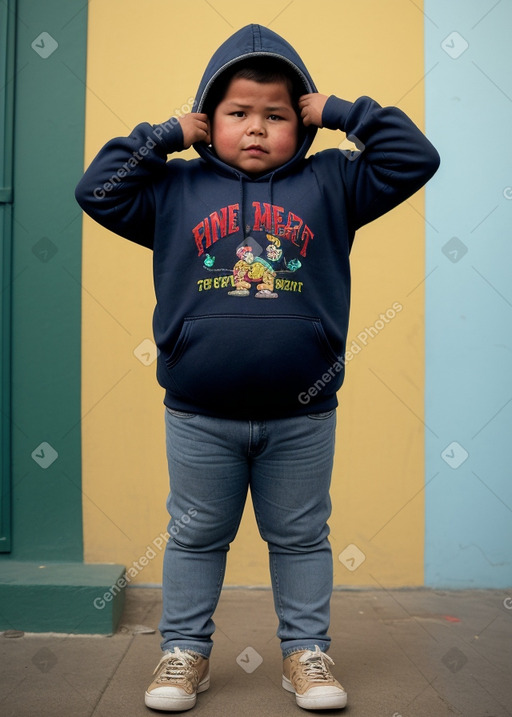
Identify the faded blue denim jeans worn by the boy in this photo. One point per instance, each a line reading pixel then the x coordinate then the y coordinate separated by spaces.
pixel 212 462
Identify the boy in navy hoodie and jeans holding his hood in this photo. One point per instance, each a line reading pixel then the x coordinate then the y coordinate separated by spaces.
pixel 251 248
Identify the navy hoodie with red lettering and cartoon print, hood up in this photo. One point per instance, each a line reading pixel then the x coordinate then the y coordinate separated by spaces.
pixel 252 275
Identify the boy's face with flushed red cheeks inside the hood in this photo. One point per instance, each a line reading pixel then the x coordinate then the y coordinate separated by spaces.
pixel 255 127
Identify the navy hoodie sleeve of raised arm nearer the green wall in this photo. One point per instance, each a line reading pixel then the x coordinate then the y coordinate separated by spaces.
pixel 117 188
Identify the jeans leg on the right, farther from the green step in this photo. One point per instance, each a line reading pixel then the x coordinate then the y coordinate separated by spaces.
pixel 290 481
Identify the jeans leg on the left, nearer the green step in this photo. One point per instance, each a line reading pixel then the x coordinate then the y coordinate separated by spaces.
pixel 209 477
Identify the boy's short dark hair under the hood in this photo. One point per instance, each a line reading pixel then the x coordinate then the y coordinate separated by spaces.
pixel 257 69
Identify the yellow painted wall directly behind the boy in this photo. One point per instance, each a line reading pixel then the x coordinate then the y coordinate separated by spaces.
pixel 144 62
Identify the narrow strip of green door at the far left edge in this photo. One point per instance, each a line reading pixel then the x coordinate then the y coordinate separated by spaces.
pixel 7 25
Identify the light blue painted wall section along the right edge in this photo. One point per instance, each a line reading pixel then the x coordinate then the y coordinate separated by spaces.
pixel 469 297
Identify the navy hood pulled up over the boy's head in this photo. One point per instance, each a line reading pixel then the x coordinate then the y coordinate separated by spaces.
pixel 248 42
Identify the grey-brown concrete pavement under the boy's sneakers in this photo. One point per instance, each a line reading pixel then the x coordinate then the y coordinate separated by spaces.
pixel 398 653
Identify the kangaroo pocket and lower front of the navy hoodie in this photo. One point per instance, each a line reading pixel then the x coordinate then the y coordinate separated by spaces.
pixel 252 364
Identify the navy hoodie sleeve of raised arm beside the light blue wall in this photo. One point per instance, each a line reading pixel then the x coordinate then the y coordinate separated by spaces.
pixel 395 159
